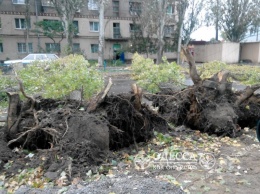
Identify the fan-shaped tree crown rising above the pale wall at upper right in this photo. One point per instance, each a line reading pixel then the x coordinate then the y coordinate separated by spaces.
pixel 234 17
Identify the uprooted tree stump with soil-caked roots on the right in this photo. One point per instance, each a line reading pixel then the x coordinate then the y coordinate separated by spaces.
pixel 210 105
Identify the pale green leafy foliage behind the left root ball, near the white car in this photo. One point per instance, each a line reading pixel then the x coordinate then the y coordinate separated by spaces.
pixel 56 79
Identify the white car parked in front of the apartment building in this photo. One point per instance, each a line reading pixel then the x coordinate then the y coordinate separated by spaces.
pixel 33 57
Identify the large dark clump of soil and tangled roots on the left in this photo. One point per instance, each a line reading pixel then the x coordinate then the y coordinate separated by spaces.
pixel 64 135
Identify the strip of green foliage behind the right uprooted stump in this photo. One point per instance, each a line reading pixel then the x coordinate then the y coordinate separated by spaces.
pixel 248 75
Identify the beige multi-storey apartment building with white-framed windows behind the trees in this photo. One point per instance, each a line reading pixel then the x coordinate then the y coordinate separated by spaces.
pixel 119 15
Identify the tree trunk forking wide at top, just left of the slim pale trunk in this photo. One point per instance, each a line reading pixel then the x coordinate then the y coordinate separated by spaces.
pixel 66 10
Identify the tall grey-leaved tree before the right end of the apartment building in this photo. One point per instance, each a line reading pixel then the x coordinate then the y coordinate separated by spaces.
pixel 153 18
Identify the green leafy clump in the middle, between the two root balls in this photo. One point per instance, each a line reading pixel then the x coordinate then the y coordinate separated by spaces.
pixel 150 76
